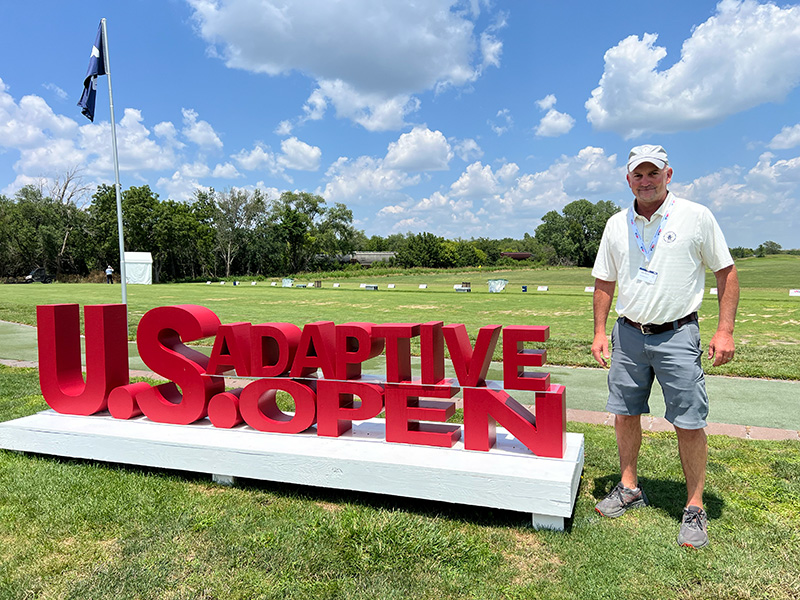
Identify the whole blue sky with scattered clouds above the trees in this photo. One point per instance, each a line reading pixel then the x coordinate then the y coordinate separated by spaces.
pixel 463 118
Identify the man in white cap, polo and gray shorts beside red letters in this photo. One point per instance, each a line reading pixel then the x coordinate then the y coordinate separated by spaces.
pixel 658 251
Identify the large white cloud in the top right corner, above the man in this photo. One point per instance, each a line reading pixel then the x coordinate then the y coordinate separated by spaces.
pixel 746 54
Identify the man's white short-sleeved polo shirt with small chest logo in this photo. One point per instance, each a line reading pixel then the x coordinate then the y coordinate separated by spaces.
pixel 690 241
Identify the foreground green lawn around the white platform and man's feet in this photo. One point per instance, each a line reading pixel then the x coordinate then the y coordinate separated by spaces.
pixel 80 529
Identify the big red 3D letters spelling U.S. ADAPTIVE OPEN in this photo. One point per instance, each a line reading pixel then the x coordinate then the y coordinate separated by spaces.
pixel 319 366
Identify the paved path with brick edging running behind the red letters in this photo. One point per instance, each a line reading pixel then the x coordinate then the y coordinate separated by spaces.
pixel 741 407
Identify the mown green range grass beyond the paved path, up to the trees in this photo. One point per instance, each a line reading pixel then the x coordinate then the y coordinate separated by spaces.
pixel 767 331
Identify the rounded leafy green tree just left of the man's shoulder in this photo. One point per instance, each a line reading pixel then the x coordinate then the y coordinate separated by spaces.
pixel 575 235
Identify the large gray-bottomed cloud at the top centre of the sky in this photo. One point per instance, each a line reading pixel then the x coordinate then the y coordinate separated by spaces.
pixel 368 58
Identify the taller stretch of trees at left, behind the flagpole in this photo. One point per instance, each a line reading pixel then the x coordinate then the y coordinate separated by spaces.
pixel 219 234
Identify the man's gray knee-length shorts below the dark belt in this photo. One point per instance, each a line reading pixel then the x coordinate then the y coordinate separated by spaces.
pixel 674 358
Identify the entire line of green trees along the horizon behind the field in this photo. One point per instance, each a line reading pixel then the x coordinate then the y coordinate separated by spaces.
pixel 239 232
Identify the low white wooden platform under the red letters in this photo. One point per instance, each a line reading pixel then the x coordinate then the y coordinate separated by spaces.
pixel 508 477
